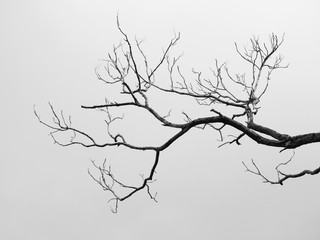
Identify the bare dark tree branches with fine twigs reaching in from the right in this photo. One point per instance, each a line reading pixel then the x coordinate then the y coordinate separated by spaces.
pixel 127 65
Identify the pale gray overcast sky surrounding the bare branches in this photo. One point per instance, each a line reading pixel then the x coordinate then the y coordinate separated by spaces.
pixel 49 50
